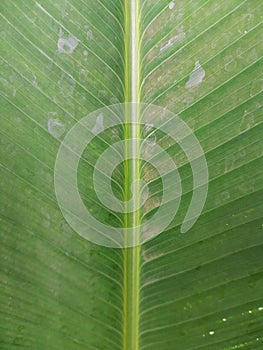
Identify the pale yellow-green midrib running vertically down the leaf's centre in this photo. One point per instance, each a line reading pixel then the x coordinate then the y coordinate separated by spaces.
pixel 131 256
